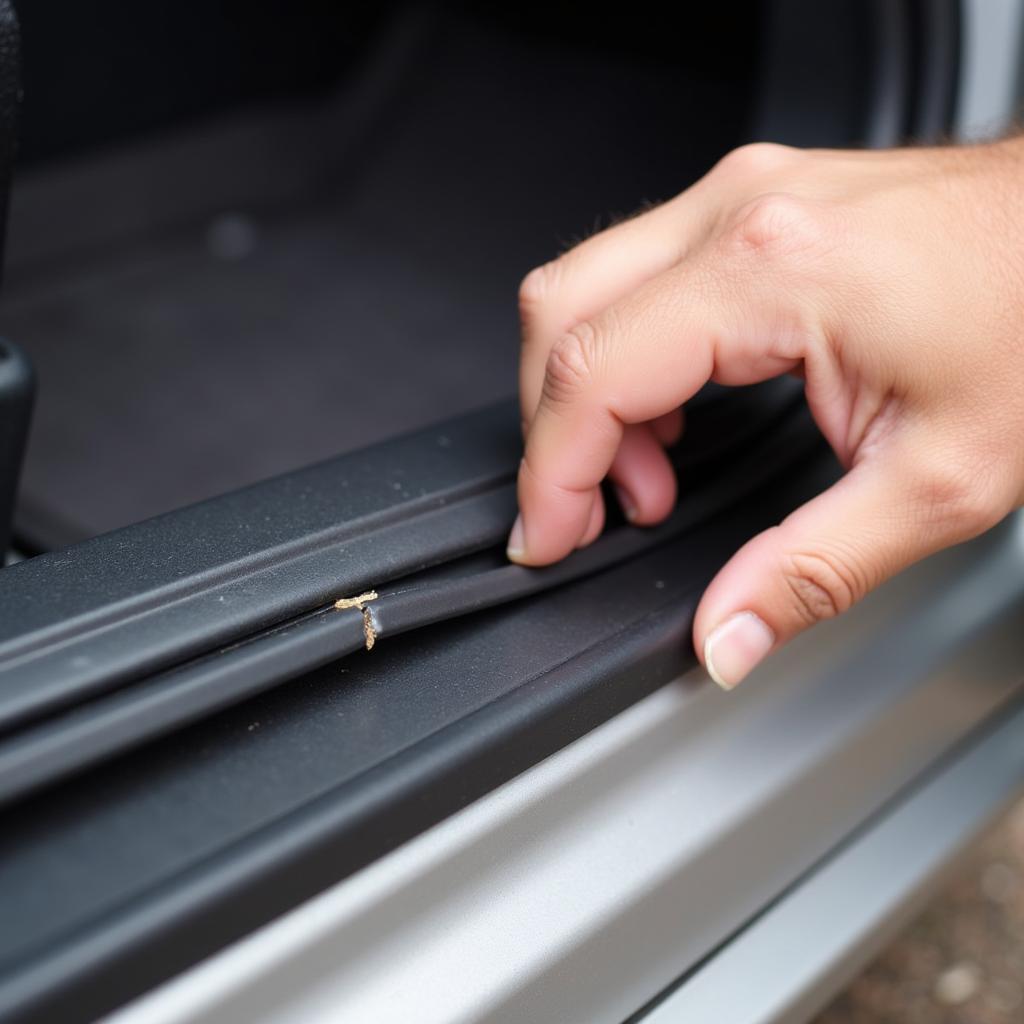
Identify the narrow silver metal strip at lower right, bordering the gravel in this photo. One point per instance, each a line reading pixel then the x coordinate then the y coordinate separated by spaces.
pixel 800 952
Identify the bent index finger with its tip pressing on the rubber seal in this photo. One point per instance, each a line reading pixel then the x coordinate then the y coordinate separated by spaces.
pixel 634 362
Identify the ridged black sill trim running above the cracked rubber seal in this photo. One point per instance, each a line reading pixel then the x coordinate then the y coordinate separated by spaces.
pixel 112 612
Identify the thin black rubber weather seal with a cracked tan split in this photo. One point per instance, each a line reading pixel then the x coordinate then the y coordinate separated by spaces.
pixel 45 752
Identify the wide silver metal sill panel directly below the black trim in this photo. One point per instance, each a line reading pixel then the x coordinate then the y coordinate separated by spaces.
pixel 590 883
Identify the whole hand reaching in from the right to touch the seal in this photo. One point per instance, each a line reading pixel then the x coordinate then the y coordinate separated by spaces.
pixel 893 282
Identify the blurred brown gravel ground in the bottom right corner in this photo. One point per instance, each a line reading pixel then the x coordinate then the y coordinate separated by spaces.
pixel 962 962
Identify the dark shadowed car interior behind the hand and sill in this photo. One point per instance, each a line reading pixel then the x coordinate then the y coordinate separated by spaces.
pixel 253 237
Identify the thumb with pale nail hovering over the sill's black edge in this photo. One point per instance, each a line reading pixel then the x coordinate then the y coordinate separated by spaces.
pixel 821 561
